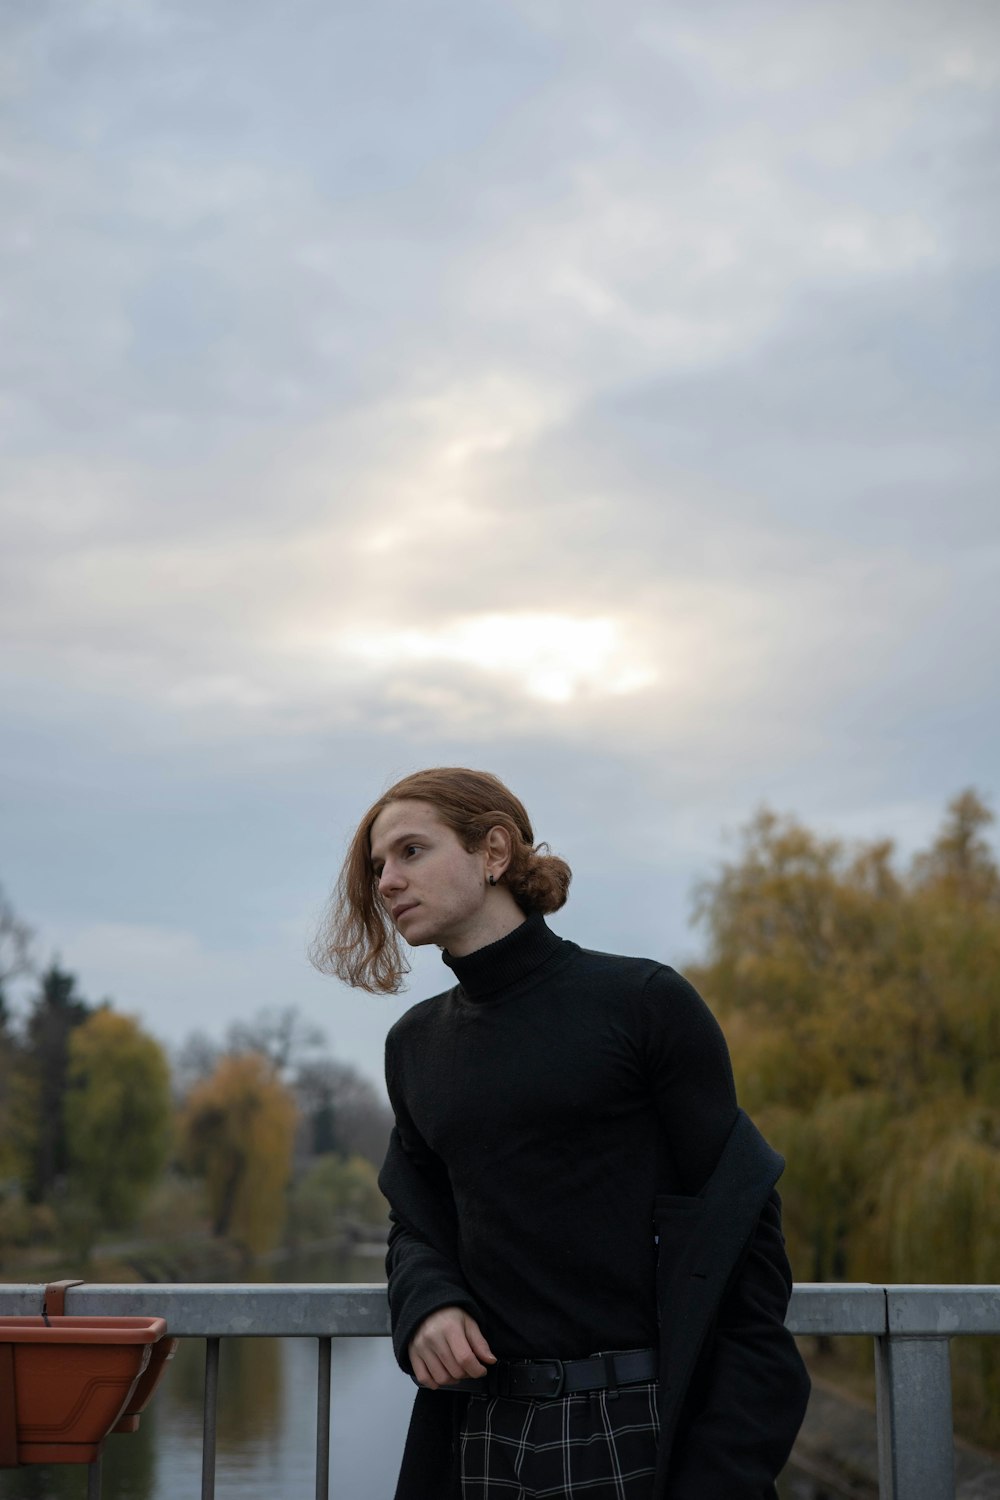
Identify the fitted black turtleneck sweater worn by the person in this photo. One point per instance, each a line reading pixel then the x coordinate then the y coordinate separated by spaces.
pixel 543 1103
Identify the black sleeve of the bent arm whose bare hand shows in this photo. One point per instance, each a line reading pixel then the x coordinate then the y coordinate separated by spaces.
pixel 422 1261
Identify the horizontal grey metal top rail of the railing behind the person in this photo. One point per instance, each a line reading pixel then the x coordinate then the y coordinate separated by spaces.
pixel 361 1310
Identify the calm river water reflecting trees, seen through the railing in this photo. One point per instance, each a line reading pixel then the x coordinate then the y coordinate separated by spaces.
pixel 268 1424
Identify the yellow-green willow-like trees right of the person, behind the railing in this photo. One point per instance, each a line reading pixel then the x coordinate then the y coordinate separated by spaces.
pixel 863 1007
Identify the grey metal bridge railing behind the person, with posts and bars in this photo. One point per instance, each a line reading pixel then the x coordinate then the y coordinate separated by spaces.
pixel 912 1327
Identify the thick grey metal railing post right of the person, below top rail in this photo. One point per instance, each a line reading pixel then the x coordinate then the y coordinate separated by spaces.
pixel 914 1390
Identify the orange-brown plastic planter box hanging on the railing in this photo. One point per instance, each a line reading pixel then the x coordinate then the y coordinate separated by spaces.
pixel 67 1381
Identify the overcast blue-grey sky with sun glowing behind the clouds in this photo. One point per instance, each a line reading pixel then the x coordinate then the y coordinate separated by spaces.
pixel 602 394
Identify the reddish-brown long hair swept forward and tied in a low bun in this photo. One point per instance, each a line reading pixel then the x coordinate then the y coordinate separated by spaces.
pixel 358 941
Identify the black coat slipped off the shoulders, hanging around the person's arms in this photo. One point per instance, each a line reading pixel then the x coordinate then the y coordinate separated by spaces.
pixel 732 1384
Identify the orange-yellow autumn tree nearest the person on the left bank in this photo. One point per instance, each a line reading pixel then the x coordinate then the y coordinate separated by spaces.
pixel 238 1133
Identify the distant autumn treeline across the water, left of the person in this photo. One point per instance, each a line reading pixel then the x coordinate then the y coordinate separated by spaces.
pixel 109 1147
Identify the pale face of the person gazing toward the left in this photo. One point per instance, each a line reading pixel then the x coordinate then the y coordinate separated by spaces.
pixel 433 887
